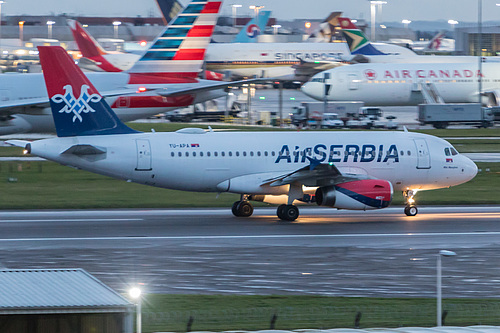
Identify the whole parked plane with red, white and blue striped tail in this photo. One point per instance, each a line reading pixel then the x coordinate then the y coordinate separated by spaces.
pixel 169 68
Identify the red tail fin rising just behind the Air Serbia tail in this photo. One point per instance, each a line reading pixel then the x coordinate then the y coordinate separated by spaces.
pixel 90 48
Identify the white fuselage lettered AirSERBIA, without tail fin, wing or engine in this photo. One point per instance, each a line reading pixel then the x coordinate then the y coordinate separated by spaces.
pixel 241 162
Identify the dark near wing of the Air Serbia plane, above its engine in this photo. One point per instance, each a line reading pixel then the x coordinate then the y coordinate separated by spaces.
pixel 322 174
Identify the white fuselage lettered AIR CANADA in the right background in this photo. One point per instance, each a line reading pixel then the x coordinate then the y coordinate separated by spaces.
pixel 401 84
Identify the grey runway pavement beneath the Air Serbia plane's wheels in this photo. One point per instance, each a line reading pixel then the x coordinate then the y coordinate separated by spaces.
pixel 376 253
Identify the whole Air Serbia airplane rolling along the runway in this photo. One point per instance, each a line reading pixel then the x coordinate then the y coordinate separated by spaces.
pixel 344 170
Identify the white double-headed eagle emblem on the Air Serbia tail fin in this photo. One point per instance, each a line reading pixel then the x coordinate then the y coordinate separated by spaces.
pixel 79 105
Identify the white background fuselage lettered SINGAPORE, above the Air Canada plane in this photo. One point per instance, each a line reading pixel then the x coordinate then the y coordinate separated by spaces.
pixel 276 59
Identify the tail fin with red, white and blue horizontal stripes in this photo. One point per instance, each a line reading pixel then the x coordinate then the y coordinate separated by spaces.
pixel 178 53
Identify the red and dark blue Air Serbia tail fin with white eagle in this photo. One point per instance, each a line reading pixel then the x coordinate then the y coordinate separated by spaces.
pixel 77 107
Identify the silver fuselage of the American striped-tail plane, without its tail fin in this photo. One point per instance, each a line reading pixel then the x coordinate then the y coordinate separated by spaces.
pixel 20 88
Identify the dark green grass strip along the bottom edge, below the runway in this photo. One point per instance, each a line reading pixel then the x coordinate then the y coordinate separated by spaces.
pixel 287 318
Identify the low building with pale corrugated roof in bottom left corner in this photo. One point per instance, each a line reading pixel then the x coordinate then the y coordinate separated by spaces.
pixel 60 301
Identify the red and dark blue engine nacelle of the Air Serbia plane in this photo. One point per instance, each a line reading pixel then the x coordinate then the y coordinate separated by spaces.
pixel 357 195
